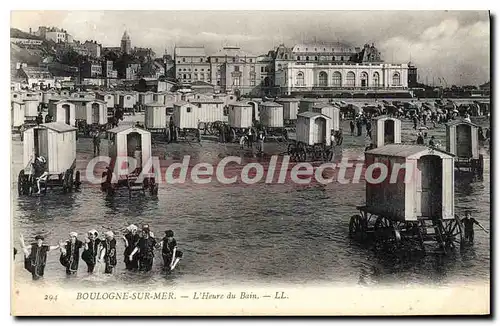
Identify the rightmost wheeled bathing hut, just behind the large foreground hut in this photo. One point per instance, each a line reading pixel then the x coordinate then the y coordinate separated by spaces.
pixel 462 140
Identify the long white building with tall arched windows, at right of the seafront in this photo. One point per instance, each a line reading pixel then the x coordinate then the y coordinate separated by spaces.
pixel 336 68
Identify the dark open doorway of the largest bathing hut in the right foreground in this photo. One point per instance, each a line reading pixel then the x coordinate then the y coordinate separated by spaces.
pixel 429 187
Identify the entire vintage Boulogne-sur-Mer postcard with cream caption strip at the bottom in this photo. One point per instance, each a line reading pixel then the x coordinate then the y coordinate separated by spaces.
pixel 250 163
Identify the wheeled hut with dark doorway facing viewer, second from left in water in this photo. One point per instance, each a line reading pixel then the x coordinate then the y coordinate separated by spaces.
pixel 128 141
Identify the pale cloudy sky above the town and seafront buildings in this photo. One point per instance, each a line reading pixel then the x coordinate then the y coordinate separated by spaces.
pixel 448 47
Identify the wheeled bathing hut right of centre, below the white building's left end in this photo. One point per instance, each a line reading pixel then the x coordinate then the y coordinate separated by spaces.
pixel 313 138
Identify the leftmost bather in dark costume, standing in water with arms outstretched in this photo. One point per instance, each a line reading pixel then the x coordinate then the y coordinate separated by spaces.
pixel 36 258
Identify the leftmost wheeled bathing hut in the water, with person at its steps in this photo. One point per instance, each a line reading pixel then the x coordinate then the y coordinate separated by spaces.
pixel 56 142
